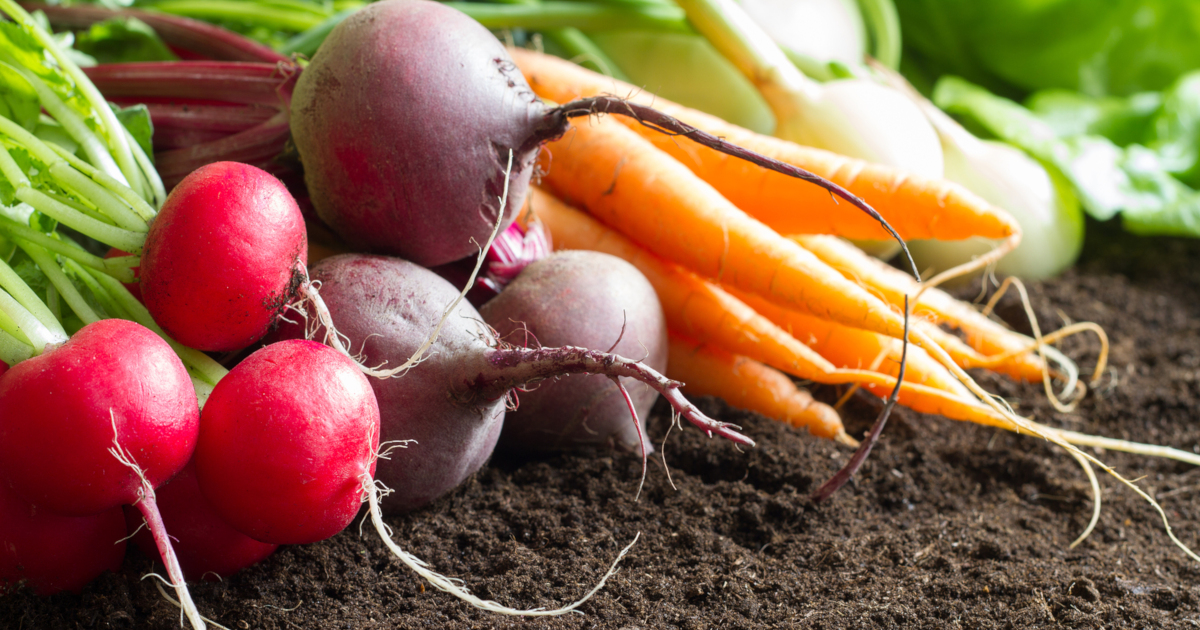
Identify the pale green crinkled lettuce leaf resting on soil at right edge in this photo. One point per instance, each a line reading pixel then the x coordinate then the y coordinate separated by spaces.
pixel 1132 157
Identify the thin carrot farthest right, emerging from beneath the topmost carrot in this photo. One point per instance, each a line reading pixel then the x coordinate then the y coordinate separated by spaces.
pixel 892 285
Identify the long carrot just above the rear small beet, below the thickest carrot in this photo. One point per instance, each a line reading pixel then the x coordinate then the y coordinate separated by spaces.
pixel 703 311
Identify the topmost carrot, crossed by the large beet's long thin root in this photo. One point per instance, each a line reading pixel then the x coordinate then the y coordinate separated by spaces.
pixel 917 208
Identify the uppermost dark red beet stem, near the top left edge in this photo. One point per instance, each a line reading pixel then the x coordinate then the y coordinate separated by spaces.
pixel 191 35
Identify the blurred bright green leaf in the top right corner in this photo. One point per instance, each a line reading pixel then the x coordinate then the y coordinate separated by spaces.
pixel 1015 47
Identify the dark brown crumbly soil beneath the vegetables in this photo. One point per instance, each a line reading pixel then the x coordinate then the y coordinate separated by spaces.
pixel 947 526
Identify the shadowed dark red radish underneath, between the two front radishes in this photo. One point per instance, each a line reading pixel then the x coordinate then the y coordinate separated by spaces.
pixel 207 547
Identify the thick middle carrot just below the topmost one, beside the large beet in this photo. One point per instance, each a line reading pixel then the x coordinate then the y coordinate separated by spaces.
pixel 623 181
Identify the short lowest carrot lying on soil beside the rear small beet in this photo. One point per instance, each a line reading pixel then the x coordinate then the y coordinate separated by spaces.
pixel 748 385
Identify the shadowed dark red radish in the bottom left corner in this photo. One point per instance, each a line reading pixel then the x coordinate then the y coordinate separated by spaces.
pixel 50 554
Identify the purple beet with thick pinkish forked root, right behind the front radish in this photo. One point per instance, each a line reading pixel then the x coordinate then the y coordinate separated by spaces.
pixel 453 404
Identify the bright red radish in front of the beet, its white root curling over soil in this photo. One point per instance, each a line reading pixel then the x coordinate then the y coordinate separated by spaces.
pixel 287 440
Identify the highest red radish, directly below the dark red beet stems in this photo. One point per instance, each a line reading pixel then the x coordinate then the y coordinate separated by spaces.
pixel 225 257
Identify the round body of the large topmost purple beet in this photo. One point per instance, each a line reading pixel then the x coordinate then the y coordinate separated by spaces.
pixel 404 122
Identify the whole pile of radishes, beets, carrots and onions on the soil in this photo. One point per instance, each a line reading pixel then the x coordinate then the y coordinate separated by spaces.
pixel 267 391
